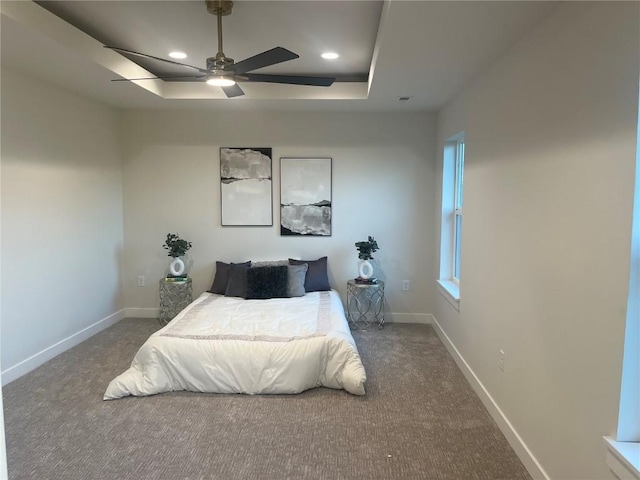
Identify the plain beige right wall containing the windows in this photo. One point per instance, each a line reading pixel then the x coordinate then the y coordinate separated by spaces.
pixel 549 182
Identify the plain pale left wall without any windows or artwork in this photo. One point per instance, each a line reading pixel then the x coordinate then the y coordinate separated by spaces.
pixel 62 228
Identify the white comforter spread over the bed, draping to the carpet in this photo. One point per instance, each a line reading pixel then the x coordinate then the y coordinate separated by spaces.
pixel 230 345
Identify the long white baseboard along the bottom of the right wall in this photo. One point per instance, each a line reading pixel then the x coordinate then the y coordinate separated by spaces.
pixel 526 456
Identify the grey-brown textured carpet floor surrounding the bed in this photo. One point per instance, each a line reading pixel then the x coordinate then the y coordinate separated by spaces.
pixel 419 420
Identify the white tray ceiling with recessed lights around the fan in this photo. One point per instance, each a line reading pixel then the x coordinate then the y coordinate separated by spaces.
pixel 427 50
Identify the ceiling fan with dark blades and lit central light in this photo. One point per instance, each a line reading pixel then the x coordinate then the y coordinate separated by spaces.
pixel 224 72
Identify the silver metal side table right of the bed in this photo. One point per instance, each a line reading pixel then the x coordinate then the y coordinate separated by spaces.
pixel 365 304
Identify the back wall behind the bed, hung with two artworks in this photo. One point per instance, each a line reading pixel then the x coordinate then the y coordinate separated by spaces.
pixel 383 185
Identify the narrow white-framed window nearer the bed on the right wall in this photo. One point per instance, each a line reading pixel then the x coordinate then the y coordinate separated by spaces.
pixel 451 231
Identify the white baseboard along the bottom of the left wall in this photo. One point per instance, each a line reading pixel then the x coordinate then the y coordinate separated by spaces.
pixel 34 361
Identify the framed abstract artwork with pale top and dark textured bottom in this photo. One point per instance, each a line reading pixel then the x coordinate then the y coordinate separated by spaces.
pixel 305 196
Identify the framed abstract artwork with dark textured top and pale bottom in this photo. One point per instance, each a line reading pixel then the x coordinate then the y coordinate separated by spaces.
pixel 246 187
